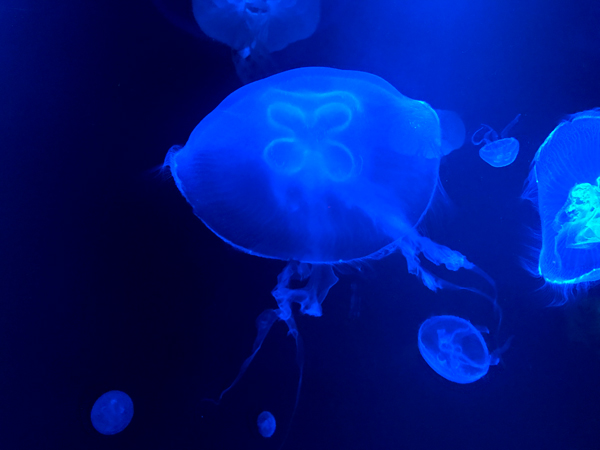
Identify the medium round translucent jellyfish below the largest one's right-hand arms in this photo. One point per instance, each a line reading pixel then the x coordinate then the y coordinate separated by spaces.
pixel 455 348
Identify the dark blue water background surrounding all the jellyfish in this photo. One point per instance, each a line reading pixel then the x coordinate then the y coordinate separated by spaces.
pixel 110 282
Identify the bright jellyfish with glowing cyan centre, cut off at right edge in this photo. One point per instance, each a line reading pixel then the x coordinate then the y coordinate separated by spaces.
pixel 564 184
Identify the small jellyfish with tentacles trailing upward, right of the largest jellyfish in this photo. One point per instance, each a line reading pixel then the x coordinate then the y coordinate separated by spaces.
pixel 497 152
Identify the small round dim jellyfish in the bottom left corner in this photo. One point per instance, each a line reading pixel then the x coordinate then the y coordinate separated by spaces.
pixel 112 412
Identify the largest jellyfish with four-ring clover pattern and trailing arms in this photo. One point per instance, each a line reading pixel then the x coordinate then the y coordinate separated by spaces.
pixel 321 168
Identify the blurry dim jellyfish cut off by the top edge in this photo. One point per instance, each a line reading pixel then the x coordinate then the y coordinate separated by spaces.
pixel 255 28
